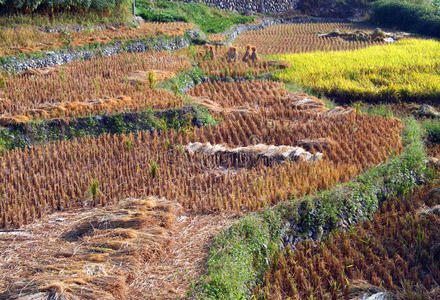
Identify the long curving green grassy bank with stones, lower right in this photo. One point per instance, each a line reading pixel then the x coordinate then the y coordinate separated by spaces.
pixel 239 256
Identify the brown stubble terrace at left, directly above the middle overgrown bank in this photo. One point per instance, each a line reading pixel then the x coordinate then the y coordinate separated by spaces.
pixel 102 85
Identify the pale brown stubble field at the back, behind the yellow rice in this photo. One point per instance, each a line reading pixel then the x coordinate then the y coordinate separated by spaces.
pixel 297 38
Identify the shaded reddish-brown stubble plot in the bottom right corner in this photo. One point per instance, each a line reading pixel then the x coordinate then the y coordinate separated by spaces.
pixel 397 251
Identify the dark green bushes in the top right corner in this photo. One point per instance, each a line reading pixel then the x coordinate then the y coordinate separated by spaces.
pixel 418 16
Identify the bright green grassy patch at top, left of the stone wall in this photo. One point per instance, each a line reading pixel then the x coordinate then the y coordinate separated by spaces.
pixel 209 19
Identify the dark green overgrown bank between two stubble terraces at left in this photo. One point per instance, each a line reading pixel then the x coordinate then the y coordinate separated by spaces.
pixel 36 132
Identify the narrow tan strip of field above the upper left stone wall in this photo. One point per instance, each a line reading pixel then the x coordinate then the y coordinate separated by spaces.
pixel 29 39
